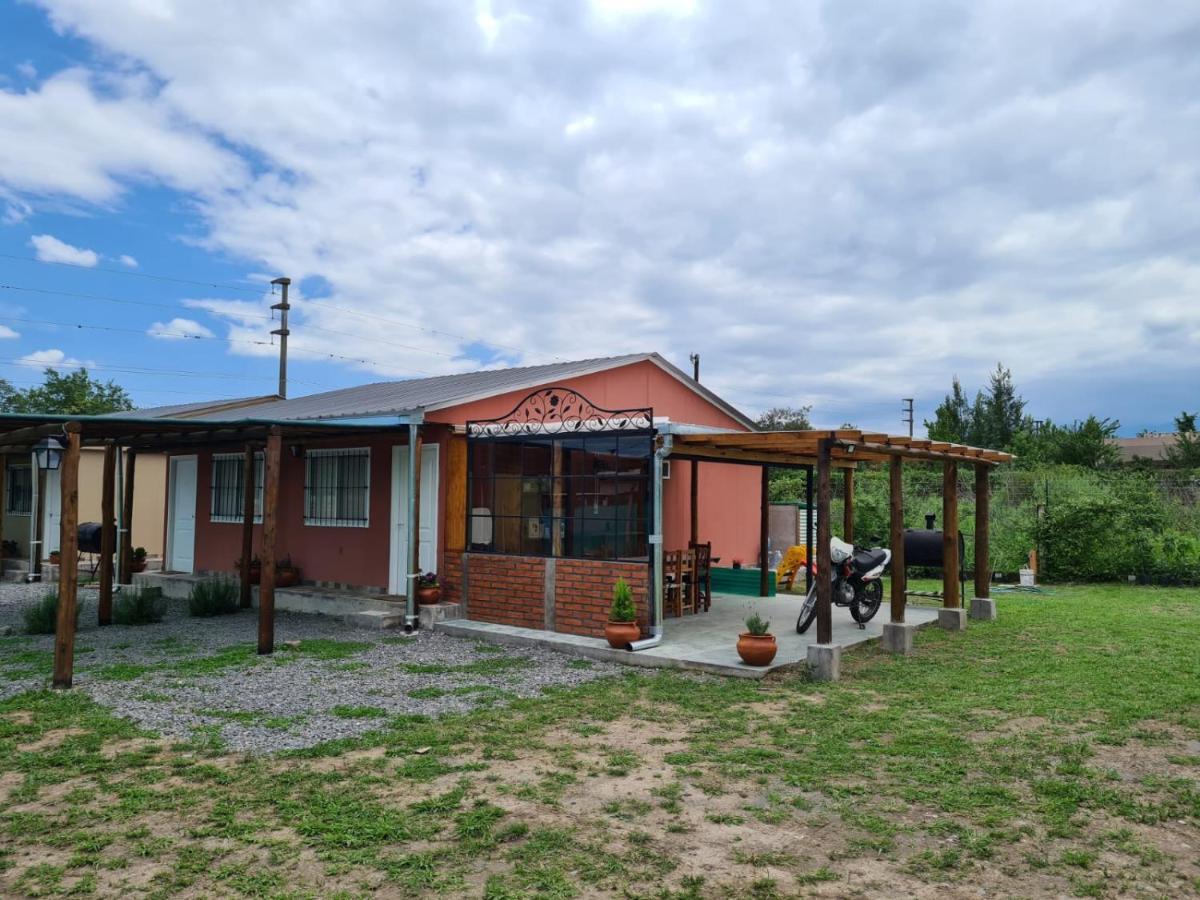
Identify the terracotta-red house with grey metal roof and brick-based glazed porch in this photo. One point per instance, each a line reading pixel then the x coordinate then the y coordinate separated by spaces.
pixel 535 490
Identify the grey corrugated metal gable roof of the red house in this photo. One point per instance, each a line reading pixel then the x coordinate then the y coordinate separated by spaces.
pixel 388 399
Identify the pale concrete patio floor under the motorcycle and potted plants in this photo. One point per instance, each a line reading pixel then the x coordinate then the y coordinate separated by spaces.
pixel 707 641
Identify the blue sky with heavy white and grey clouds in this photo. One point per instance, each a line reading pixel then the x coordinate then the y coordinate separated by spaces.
pixel 836 205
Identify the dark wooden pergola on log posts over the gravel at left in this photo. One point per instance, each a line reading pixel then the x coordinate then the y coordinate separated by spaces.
pixel 134 436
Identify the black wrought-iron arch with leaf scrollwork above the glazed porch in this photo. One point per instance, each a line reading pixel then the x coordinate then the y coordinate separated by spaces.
pixel 559 411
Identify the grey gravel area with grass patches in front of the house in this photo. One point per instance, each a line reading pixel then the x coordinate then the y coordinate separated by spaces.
pixel 200 679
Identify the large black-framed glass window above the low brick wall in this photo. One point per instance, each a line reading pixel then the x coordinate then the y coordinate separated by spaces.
pixel 580 496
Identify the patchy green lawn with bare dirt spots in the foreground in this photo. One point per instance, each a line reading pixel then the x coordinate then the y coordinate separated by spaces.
pixel 1054 752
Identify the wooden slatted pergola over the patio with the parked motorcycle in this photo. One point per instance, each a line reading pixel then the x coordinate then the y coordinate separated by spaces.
pixel 844 449
